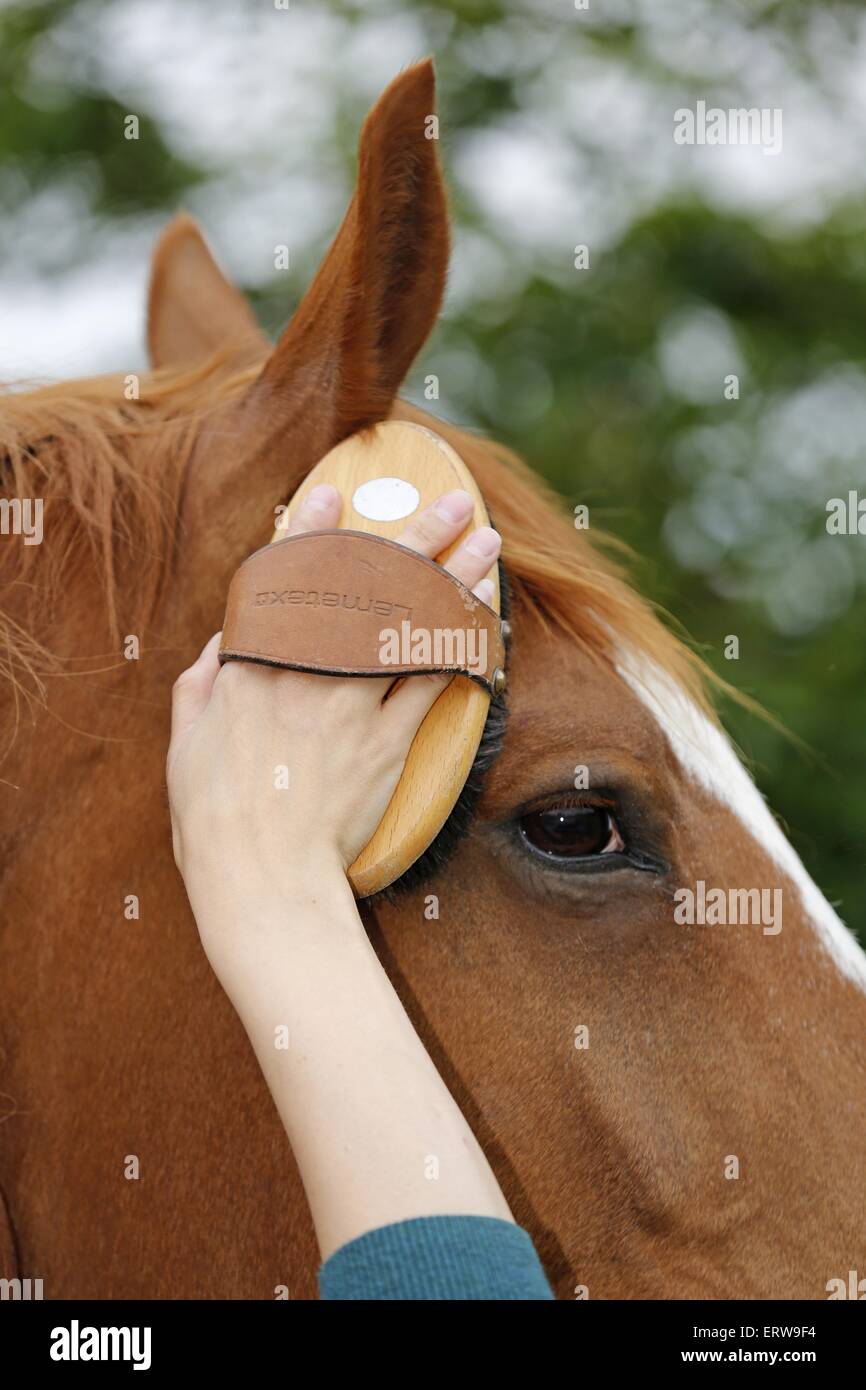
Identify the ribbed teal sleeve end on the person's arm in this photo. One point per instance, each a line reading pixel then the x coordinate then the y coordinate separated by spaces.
pixel 436 1259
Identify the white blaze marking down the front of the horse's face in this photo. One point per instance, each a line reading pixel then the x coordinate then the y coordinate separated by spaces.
pixel 707 755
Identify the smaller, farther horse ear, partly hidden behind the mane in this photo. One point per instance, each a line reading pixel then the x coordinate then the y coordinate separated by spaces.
pixel 193 311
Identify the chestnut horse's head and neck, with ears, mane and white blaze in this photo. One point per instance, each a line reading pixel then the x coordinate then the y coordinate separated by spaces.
pixel 673 1107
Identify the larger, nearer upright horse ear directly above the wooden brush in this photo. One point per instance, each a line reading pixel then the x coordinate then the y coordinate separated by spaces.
pixel 379 290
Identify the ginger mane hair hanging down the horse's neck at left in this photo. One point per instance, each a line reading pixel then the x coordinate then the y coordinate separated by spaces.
pixel 111 473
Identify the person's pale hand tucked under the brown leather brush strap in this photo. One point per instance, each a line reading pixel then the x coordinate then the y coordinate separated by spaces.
pixel 277 772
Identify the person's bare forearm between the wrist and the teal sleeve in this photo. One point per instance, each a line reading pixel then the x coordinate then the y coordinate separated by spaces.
pixel 352 1054
